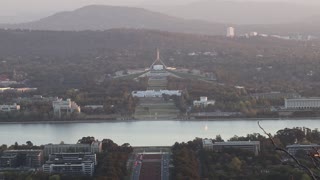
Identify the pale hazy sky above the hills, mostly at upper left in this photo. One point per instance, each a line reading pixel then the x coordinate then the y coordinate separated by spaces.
pixel 27 10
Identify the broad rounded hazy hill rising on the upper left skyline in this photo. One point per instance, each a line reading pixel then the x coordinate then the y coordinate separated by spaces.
pixel 100 17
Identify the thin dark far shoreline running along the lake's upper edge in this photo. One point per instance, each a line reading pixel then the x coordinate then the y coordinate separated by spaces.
pixel 142 120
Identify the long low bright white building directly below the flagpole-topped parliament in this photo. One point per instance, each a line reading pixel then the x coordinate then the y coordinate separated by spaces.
pixel 153 93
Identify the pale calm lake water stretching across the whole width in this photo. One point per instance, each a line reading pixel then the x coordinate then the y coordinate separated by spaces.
pixel 142 133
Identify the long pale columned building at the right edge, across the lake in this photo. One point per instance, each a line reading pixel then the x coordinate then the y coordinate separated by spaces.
pixel 302 103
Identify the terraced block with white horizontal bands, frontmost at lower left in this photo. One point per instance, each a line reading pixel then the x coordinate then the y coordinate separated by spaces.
pixel 71 164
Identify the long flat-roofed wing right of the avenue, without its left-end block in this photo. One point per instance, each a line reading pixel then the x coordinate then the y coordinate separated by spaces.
pixel 253 146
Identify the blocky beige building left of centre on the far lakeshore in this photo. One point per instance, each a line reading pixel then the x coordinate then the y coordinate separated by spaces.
pixel 68 107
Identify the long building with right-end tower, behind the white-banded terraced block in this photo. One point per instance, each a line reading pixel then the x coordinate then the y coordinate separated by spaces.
pixel 95 147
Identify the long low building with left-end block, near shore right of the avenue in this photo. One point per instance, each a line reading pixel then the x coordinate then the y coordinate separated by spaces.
pixel 253 146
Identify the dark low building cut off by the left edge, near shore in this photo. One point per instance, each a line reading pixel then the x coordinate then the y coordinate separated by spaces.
pixel 21 158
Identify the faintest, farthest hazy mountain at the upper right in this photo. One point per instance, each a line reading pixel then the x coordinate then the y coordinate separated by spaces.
pixel 228 11
